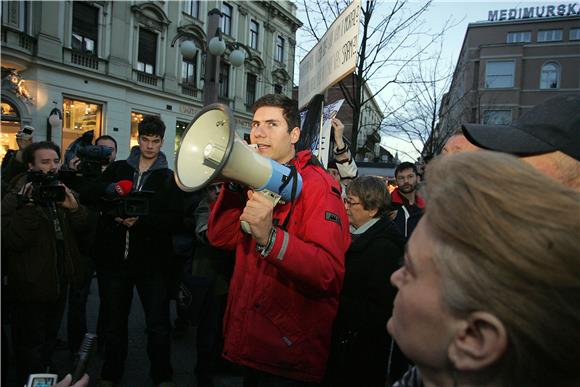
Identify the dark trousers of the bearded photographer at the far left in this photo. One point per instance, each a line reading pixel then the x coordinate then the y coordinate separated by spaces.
pixel 34 330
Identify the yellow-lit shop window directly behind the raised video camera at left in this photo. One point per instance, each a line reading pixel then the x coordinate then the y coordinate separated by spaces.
pixel 80 117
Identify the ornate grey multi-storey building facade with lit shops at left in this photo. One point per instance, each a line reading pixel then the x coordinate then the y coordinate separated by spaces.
pixel 104 65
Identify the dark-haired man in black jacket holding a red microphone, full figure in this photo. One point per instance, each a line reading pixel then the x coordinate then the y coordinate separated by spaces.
pixel 134 249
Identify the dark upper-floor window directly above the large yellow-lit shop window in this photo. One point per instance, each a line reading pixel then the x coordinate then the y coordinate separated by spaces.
pixel 85 30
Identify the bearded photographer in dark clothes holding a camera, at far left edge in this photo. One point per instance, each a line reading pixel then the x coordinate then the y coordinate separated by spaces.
pixel 40 216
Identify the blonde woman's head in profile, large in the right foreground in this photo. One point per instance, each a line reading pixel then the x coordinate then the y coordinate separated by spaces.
pixel 489 294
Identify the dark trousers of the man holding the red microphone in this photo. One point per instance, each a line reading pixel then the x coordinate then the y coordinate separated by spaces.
pixel 116 292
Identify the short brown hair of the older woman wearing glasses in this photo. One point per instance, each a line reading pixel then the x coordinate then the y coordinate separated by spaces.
pixel 372 193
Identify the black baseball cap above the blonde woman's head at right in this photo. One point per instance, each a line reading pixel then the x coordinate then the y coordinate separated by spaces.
pixel 553 125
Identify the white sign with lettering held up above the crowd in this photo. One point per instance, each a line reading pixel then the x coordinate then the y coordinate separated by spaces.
pixel 333 57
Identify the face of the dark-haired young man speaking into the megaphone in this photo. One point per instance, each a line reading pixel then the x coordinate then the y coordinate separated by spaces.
pixel 270 133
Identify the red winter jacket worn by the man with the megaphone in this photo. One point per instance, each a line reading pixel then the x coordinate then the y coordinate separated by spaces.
pixel 281 307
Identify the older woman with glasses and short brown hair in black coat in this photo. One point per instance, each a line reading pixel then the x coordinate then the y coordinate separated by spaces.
pixel 360 344
